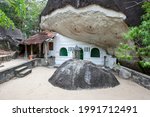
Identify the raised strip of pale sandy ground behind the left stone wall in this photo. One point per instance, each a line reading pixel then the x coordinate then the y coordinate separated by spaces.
pixel 12 63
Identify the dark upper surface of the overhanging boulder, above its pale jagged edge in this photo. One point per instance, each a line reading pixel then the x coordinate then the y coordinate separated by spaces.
pixel 132 9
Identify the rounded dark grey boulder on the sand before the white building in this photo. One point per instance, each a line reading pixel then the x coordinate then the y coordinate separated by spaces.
pixel 79 74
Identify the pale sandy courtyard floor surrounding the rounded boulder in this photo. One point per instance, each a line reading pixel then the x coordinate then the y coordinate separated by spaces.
pixel 36 86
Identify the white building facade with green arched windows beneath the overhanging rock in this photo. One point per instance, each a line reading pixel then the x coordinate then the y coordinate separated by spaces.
pixel 64 49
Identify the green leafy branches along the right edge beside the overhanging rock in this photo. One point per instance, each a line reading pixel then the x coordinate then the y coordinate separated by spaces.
pixel 141 37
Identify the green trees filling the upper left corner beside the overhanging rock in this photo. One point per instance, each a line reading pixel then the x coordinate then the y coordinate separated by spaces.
pixel 23 13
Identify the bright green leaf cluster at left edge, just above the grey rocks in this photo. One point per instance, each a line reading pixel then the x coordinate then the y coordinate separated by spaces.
pixel 5 21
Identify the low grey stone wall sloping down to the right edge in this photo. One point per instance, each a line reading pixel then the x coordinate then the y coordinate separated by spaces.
pixel 139 78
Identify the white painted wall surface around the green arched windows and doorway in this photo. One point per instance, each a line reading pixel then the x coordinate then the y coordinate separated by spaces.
pixel 62 41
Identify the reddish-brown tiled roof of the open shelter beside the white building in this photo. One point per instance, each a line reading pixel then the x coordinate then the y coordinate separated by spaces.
pixel 39 38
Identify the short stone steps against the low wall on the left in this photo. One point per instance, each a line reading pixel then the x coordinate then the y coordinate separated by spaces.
pixel 22 71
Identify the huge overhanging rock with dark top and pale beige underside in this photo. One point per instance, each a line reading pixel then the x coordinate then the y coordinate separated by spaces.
pixel 99 22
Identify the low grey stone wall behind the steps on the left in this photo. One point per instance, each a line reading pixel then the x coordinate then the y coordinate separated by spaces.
pixel 9 73
